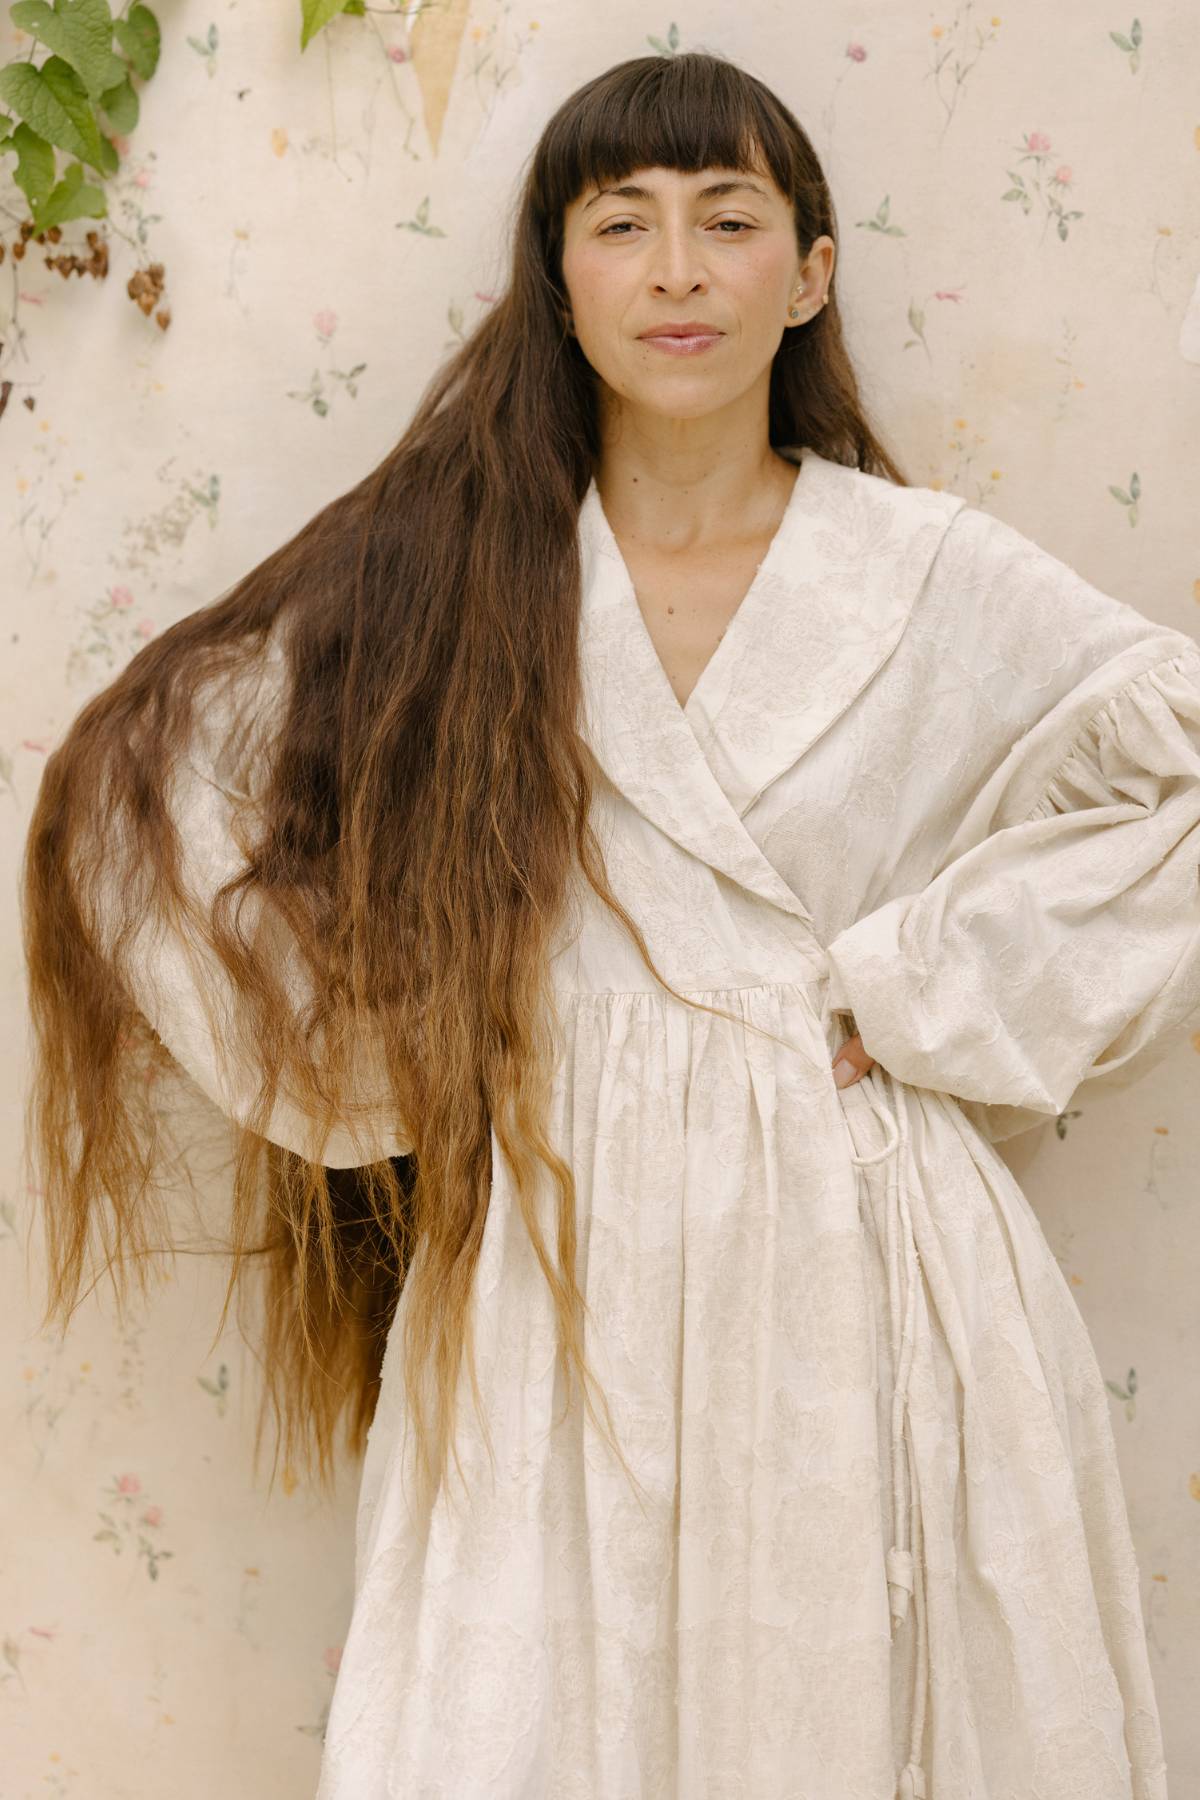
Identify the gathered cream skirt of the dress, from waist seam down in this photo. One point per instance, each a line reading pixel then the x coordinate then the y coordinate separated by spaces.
pixel 881 1545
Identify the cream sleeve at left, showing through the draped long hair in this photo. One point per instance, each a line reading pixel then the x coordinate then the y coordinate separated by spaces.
pixel 184 991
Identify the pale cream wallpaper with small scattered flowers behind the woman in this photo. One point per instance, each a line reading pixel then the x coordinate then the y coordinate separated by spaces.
pixel 303 233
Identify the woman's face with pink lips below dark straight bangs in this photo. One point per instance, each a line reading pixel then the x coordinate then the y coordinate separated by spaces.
pixel 667 249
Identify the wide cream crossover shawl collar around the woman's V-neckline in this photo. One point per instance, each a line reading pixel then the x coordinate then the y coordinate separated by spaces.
pixel 825 611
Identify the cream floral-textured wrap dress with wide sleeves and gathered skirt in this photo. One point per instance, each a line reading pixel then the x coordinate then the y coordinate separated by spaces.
pixel 938 789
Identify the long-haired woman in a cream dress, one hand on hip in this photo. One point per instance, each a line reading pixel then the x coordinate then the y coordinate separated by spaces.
pixel 508 856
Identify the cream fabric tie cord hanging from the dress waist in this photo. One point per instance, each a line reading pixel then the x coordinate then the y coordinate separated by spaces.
pixel 904 1560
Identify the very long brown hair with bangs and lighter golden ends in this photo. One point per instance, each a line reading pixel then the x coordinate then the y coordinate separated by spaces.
pixel 420 805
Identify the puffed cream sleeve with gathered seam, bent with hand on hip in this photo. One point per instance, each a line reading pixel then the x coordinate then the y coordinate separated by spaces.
pixel 1057 951
